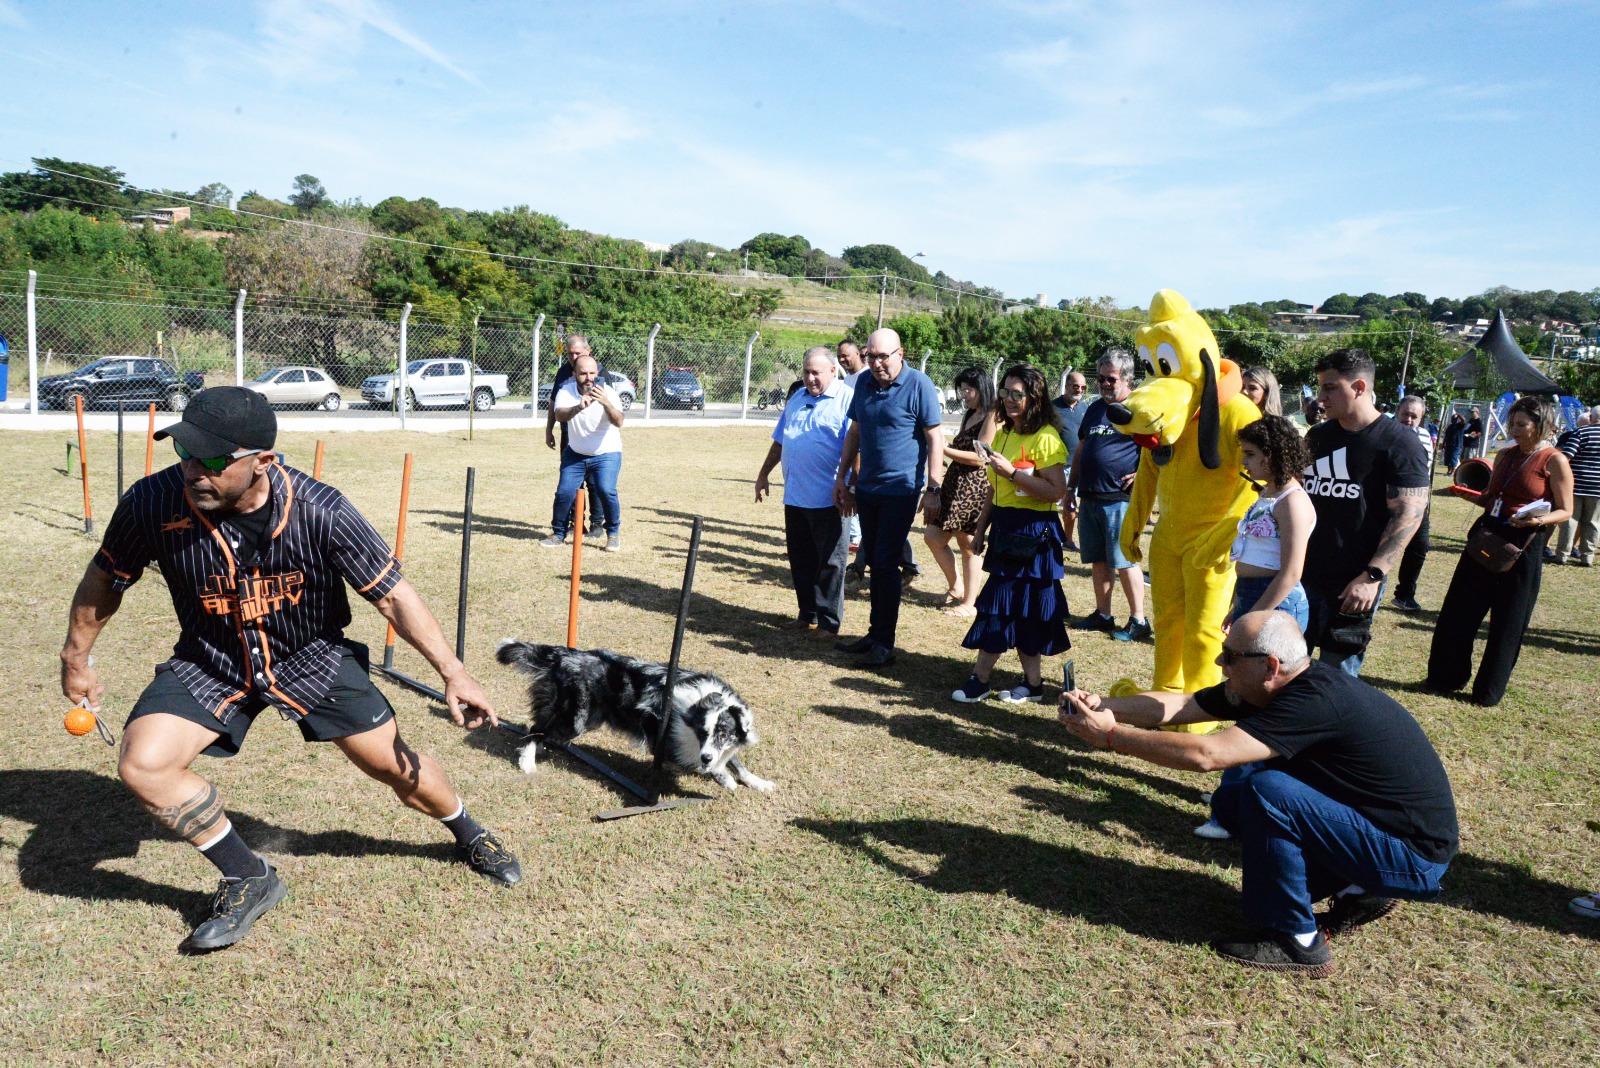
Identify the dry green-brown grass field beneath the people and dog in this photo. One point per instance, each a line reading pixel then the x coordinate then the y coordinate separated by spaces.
pixel 930 885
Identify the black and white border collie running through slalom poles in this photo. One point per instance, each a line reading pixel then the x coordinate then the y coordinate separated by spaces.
pixel 575 691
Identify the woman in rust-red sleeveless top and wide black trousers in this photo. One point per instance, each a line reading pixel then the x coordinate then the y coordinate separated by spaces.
pixel 1529 472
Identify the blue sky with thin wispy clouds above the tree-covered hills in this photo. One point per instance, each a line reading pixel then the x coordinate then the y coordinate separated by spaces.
pixel 1231 151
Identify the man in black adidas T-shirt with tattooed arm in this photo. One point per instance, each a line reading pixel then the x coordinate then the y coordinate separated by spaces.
pixel 1369 482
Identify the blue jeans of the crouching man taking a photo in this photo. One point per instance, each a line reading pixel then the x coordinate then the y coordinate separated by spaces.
pixel 1303 847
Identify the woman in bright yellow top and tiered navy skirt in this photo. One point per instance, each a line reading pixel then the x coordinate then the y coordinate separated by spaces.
pixel 1020 535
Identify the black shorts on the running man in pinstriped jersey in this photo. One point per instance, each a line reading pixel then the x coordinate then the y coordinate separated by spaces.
pixel 353 706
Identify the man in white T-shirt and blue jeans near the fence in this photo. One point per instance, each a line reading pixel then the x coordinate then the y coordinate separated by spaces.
pixel 593 415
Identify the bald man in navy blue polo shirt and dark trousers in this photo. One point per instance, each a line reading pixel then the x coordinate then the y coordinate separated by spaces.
pixel 898 436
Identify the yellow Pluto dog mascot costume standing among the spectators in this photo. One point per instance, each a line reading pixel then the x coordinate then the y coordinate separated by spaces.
pixel 1186 416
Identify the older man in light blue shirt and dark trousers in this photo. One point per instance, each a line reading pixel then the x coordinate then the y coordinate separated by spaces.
pixel 810 439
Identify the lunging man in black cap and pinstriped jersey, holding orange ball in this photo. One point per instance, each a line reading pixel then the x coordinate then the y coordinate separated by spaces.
pixel 255 557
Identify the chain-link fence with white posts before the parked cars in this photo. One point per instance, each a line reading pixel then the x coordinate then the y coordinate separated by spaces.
pixel 110 351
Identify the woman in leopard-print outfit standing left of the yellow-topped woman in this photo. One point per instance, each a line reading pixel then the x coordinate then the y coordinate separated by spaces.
pixel 964 495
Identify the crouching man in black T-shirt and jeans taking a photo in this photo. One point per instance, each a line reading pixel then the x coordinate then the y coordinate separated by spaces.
pixel 1346 797
